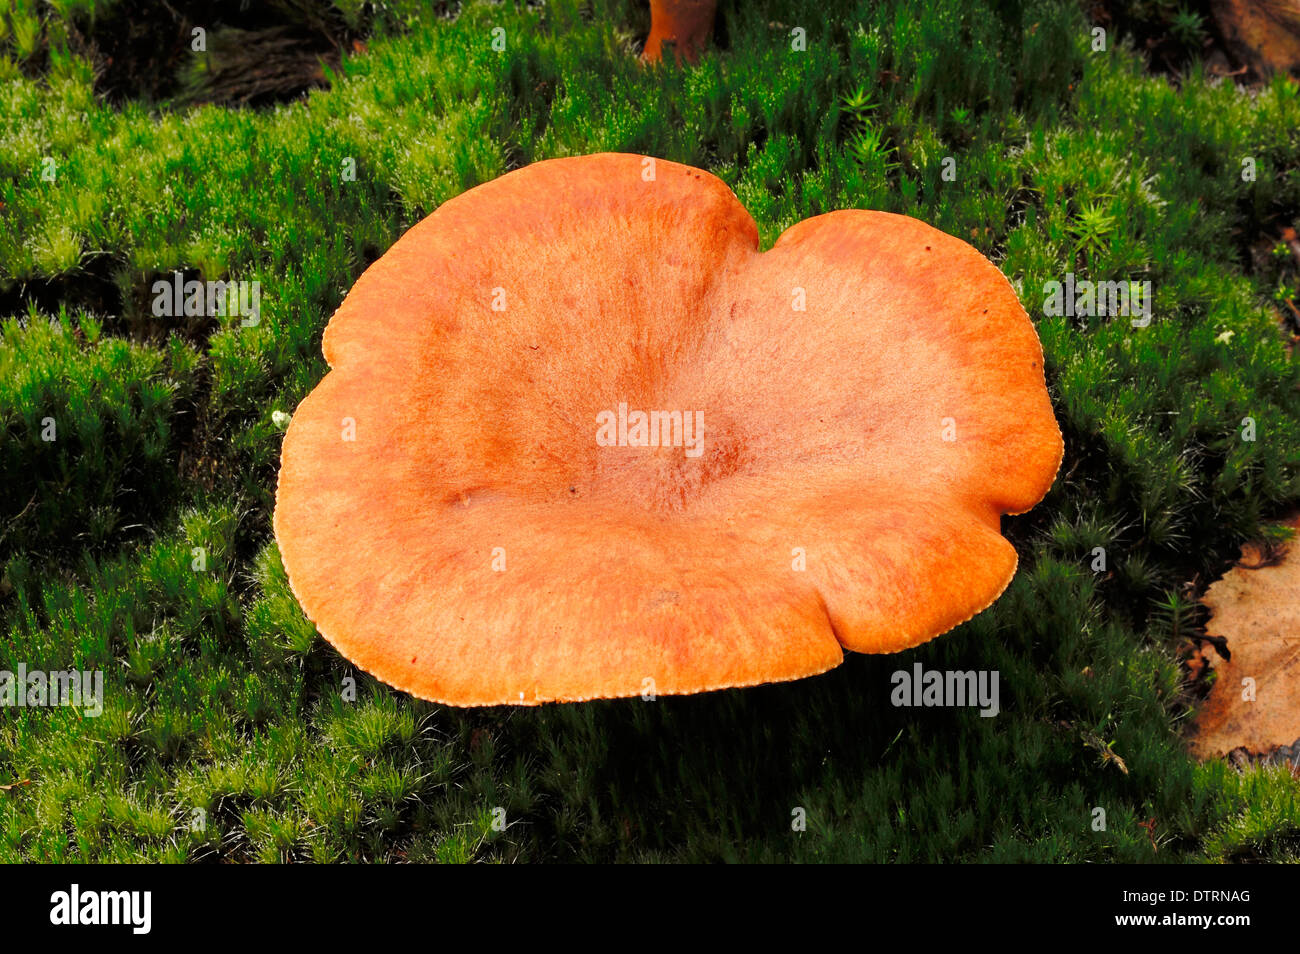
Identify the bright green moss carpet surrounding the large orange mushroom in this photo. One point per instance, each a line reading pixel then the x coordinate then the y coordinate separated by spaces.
pixel 232 731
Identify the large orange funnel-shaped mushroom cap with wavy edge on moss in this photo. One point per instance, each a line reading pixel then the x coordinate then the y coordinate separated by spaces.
pixel 470 506
